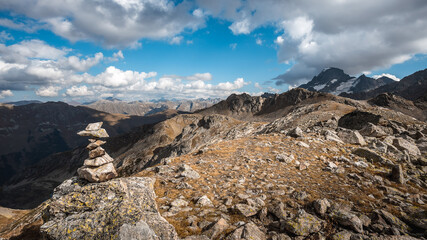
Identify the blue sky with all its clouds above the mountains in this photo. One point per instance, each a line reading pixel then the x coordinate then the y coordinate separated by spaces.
pixel 143 49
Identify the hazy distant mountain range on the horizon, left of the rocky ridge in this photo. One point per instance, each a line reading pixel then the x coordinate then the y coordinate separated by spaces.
pixel 140 108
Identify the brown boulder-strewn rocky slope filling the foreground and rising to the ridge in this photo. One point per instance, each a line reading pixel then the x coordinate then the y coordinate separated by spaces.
pixel 298 165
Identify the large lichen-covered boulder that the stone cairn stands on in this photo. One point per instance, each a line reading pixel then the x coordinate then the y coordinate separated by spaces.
pixel 122 208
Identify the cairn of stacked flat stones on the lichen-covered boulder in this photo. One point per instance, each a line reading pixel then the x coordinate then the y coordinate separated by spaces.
pixel 99 166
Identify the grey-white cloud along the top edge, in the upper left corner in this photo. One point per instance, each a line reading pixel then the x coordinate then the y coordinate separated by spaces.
pixel 110 22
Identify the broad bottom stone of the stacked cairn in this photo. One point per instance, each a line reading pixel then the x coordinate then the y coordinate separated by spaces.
pixel 98 174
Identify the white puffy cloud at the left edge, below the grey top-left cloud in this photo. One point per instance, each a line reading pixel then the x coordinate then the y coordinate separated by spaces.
pixel 33 63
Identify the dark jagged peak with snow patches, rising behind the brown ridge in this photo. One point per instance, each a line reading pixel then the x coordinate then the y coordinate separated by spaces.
pixel 336 81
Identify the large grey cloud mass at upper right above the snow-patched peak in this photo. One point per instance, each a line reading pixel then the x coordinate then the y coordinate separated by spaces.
pixel 318 34
